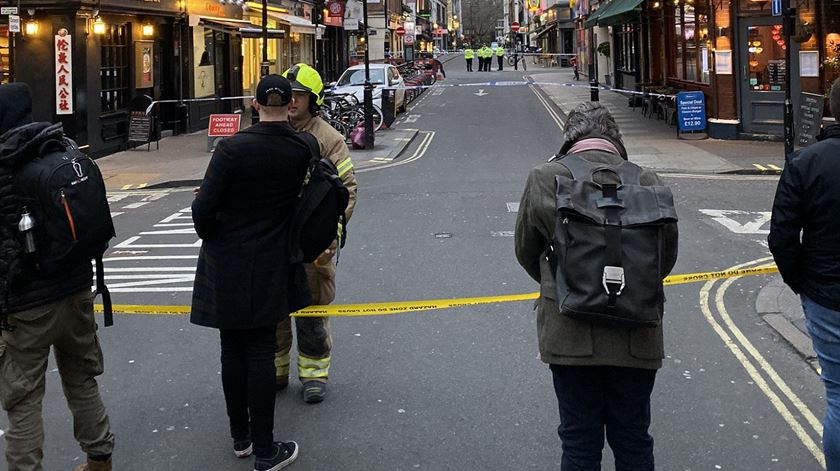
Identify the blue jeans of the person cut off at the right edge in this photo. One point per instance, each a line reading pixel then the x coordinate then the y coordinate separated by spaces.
pixel 824 327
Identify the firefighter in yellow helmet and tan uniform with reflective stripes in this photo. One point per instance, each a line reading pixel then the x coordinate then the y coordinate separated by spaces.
pixel 313 333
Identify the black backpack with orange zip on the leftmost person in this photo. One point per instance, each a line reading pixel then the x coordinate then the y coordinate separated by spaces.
pixel 64 193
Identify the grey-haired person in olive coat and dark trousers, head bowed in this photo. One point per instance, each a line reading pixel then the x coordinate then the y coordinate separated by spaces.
pixel 603 372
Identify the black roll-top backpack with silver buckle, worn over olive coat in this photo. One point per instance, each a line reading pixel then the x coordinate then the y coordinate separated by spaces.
pixel 607 249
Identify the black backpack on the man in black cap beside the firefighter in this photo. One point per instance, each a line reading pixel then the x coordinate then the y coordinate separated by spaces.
pixel 319 210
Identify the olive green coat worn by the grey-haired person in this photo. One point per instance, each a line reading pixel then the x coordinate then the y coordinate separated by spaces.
pixel 563 340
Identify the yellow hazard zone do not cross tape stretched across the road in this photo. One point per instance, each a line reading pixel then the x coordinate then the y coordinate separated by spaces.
pixel 399 307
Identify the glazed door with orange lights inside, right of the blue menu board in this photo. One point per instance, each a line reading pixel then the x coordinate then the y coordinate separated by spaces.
pixel 762 75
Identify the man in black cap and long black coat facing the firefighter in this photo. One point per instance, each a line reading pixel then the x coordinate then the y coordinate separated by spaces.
pixel 244 284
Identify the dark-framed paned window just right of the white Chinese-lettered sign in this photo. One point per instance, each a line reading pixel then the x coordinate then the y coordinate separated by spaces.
pixel 114 72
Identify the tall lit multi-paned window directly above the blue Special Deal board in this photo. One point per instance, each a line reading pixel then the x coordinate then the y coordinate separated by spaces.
pixel 693 46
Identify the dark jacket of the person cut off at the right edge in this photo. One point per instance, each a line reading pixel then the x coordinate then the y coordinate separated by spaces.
pixel 808 201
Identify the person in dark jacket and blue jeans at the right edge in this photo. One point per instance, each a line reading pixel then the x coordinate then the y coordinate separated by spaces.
pixel 804 240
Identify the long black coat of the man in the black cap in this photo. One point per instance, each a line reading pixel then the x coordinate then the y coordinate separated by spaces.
pixel 243 278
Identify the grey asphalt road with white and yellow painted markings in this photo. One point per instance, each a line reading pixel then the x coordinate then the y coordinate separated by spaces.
pixel 461 388
